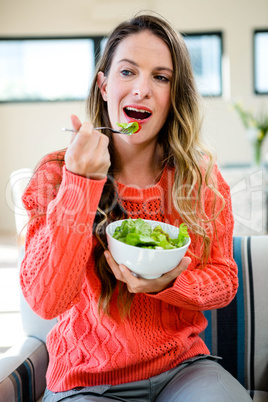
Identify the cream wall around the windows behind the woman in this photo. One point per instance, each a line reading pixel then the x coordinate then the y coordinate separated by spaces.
pixel 28 131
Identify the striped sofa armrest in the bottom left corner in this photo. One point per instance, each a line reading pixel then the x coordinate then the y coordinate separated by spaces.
pixel 23 370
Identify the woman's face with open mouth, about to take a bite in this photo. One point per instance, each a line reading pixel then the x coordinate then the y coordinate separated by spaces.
pixel 138 85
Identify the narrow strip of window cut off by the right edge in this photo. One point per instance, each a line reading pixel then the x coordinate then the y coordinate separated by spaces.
pixel 261 62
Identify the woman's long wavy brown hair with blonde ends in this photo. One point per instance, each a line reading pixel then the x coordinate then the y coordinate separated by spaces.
pixel 180 139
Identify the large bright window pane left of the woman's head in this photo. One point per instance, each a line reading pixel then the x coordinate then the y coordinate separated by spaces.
pixel 46 69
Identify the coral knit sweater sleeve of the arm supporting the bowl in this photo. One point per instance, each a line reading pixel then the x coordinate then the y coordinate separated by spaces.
pixel 214 285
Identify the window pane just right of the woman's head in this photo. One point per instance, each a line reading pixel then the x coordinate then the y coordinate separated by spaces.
pixel 206 57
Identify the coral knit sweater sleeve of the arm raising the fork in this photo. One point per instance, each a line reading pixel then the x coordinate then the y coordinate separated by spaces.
pixel 59 238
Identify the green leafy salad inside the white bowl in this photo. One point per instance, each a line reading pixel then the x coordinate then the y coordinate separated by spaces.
pixel 141 234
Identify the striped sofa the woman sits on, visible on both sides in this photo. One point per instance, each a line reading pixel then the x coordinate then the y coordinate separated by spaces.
pixel 238 333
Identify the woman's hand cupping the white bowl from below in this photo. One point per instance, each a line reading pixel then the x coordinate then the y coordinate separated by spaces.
pixel 141 285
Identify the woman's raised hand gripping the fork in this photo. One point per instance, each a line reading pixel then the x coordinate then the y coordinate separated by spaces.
pixel 87 154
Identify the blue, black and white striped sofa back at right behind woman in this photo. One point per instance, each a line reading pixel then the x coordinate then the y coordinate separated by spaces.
pixel 238 332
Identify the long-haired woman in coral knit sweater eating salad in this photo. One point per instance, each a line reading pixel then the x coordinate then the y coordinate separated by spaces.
pixel 120 337
